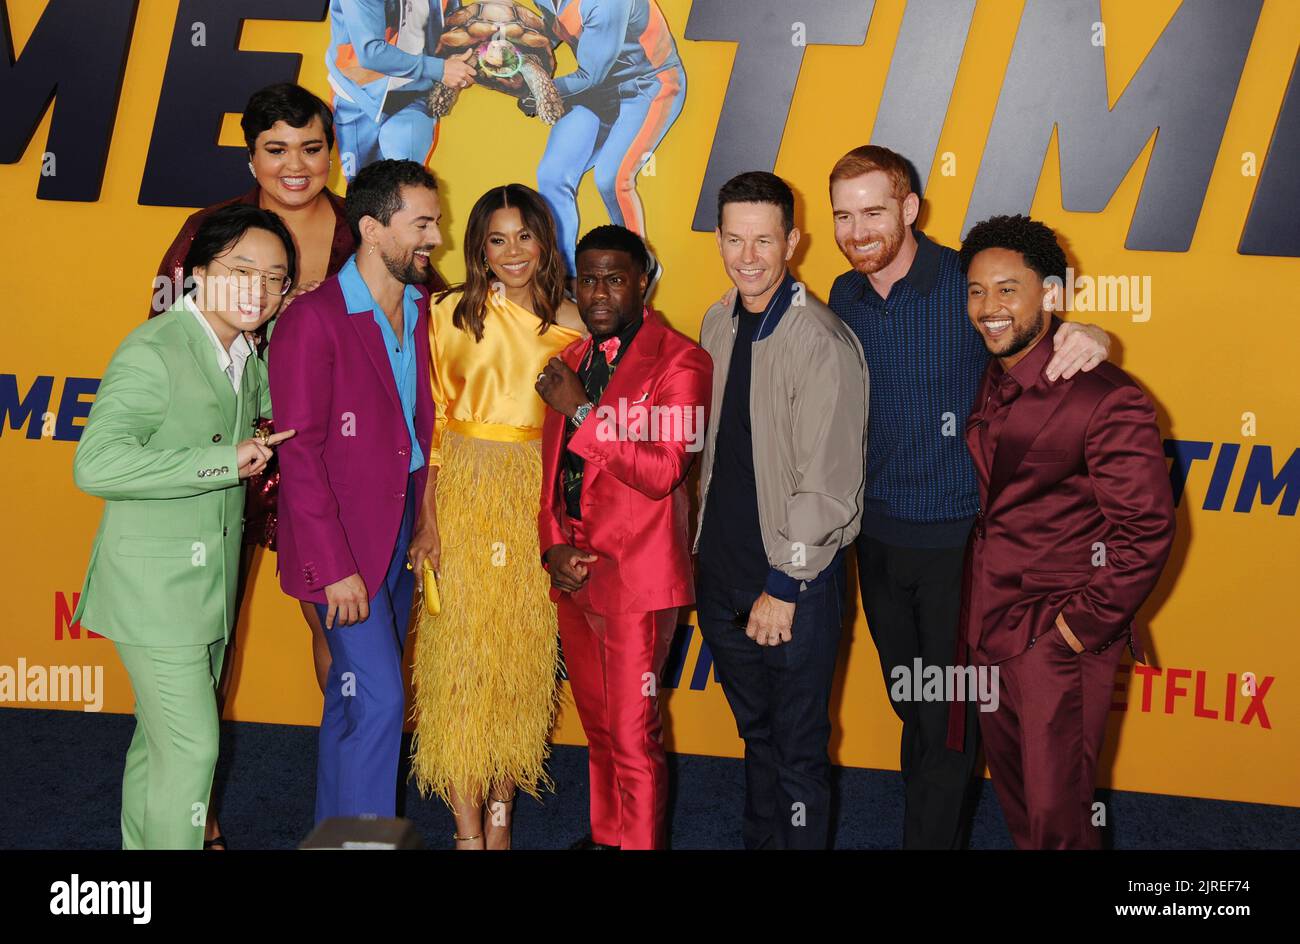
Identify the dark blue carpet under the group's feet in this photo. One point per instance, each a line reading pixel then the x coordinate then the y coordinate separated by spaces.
pixel 62 790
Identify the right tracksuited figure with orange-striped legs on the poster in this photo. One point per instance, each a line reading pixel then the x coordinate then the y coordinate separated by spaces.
pixel 627 92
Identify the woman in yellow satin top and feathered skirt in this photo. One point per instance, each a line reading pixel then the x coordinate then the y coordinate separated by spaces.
pixel 486 666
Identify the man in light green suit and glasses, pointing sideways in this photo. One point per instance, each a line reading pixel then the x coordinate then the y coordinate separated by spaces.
pixel 163 448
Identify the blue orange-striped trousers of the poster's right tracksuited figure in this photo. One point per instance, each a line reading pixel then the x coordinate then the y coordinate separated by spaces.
pixel 616 132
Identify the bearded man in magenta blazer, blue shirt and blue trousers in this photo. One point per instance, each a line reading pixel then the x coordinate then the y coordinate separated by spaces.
pixel 350 362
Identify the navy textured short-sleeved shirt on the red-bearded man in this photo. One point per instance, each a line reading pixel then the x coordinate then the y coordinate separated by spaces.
pixel 926 362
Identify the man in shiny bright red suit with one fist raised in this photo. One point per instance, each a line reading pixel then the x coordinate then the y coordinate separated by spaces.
pixel 629 413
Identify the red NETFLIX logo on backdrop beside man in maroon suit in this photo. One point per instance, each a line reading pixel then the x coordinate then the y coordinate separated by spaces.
pixel 1165 687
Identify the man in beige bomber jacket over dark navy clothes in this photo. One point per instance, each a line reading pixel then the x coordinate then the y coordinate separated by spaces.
pixel 782 486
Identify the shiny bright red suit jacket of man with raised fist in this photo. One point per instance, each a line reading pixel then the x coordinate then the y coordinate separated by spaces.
pixel 635 508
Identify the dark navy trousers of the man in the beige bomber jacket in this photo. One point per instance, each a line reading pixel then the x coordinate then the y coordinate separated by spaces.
pixel 781 698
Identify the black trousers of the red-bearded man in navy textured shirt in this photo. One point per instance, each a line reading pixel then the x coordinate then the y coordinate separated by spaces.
pixel 912 600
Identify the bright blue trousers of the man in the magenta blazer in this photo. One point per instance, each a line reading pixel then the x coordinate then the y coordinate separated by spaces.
pixel 361 738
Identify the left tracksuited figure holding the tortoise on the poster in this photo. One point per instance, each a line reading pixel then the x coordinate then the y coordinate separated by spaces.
pixel 382 67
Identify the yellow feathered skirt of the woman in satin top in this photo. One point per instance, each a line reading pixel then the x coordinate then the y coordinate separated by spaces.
pixel 486 668
